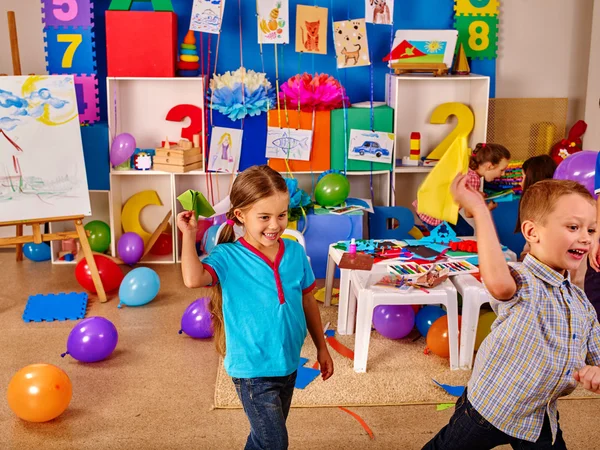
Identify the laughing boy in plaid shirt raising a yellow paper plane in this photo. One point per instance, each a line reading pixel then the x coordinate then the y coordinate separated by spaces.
pixel 546 338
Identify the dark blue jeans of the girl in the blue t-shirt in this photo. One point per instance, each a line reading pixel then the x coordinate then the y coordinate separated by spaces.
pixel 266 402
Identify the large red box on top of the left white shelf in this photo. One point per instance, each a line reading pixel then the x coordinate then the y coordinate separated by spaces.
pixel 141 43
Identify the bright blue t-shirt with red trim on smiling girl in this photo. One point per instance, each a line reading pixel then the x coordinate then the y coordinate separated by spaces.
pixel 265 325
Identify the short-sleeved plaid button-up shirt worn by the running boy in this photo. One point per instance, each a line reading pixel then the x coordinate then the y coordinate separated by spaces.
pixel 548 330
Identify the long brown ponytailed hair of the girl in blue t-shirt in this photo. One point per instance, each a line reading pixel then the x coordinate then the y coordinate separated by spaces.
pixel 252 185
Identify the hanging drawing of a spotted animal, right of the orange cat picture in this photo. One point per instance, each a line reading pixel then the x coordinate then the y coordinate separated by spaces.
pixel 351 46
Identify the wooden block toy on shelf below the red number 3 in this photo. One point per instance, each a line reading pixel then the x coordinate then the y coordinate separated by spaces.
pixel 183 157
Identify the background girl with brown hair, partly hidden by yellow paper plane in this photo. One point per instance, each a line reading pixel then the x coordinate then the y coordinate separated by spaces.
pixel 488 161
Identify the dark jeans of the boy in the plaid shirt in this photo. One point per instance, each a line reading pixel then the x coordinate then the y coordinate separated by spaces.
pixel 468 430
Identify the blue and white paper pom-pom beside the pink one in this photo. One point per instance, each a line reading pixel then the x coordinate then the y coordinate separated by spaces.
pixel 241 93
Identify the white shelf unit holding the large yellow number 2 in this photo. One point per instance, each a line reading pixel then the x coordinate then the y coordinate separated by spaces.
pixel 413 98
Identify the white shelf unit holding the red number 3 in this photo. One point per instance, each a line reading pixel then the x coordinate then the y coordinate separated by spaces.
pixel 139 106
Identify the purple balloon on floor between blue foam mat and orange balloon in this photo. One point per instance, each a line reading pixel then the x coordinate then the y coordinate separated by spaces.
pixel 92 339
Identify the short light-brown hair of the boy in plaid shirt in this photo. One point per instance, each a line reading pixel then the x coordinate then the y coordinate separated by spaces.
pixel 539 200
